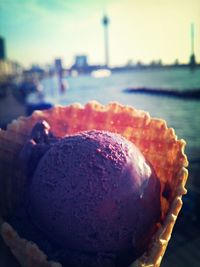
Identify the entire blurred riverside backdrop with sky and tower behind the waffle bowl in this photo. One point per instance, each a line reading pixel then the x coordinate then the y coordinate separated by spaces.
pixel 137 52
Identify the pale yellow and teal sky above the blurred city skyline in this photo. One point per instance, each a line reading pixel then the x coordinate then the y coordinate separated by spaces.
pixel 37 31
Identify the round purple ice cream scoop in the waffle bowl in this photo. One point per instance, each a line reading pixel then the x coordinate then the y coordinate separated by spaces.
pixel 92 192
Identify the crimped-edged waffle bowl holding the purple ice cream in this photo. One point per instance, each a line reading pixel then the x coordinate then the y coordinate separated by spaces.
pixel 157 142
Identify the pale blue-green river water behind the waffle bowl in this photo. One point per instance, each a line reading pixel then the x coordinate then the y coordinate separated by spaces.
pixel 181 114
